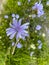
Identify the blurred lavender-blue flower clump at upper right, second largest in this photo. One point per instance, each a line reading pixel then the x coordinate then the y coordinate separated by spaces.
pixel 39 8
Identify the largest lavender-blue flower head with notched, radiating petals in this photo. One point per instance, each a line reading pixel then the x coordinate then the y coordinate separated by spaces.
pixel 17 30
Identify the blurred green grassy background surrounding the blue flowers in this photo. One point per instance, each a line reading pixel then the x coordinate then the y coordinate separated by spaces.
pixel 22 56
